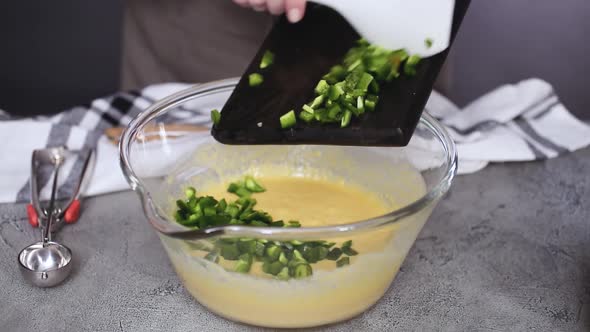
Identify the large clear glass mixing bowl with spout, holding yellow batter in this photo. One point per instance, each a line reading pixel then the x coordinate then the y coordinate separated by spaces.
pixel 163 150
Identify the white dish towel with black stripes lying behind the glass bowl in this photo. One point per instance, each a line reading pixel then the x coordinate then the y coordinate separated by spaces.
pixel 518 122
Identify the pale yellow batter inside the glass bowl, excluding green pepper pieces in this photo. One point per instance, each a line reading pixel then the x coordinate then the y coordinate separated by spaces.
pixel 331 294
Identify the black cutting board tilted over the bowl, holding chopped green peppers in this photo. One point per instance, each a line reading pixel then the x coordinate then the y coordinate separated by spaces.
pixel 304 52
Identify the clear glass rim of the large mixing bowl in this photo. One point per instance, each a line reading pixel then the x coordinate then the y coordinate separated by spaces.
pixel 173 229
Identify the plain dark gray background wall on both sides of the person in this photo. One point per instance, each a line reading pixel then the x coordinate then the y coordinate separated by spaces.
pixel 58 54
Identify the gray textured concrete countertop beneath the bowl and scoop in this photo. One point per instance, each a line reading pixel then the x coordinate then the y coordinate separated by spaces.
pixel 507 249
